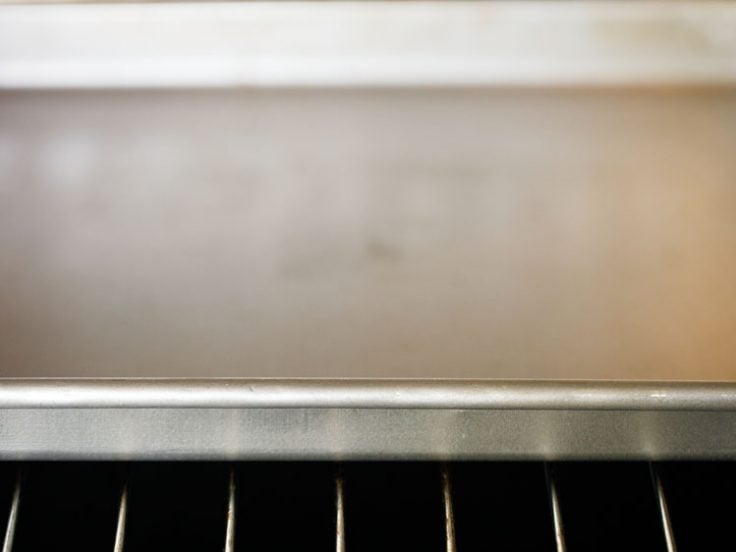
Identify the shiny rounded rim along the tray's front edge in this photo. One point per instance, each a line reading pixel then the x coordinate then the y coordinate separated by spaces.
pixel 319 393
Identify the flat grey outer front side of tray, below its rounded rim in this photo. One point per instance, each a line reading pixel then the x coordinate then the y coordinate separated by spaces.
pixel 329 433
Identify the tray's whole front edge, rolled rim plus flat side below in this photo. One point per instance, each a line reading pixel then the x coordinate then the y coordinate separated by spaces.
pixel 226 419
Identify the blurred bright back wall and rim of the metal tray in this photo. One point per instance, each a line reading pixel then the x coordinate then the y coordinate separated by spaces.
pixel 367 44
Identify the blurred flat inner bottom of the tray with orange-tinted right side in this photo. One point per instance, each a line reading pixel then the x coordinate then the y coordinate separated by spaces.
pixel 346 233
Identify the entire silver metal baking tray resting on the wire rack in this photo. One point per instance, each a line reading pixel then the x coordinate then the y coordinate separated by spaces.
pixel 536 201
